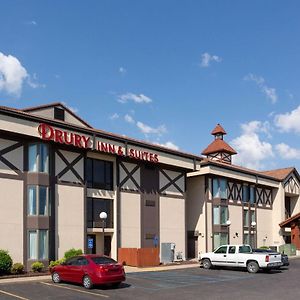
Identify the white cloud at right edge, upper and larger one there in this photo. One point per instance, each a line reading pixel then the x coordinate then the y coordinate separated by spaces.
pixel 289 122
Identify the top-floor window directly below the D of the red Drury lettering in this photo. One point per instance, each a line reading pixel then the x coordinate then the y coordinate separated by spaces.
pixel 38 158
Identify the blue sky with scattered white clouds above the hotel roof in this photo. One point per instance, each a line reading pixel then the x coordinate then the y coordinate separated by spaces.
pixel 163 71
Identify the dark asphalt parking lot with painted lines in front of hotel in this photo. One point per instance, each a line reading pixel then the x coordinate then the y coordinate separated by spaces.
pixel 192 283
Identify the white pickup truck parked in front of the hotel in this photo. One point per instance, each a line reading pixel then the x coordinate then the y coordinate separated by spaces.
pixel 240 256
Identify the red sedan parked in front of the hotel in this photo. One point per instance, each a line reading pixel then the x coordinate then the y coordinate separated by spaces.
pixel 89 270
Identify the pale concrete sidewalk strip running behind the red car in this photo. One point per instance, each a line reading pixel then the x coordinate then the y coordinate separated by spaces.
pixel 128 269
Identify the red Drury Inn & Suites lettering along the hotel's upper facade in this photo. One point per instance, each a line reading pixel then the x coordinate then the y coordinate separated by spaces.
pixel 49 133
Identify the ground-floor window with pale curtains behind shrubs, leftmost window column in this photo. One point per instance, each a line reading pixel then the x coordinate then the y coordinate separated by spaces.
pixel 38 244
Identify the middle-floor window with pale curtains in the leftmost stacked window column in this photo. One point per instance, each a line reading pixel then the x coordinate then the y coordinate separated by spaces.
pixel 38 199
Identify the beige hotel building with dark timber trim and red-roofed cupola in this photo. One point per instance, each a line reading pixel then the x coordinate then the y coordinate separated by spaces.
pixel 57 173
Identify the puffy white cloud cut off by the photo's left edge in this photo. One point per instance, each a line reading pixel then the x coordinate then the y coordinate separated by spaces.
pixel 12 75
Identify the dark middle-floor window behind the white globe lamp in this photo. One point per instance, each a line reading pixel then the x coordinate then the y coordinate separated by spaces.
pixel 94 207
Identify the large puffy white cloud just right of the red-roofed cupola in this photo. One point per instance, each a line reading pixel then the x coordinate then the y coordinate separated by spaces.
pixel 252 151
